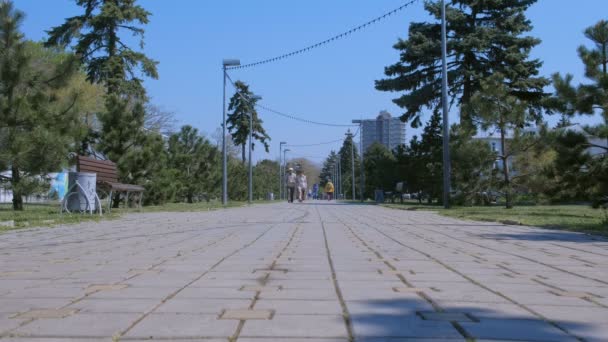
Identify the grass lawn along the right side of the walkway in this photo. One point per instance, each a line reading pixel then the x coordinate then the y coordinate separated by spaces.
pixel 579 218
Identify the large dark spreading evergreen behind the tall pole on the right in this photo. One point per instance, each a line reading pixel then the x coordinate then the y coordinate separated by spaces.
pixel 484 37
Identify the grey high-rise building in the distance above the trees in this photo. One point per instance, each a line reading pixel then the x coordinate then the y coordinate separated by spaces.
pixel 384 129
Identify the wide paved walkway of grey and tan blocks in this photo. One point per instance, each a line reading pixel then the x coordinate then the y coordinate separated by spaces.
pixel 302 272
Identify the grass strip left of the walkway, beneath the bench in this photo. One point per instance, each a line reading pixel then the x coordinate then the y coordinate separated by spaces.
pixel 41 215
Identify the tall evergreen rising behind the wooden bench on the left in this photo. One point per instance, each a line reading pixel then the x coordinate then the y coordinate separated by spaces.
pixel 97 35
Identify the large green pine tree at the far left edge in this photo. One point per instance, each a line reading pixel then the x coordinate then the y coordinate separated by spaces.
pixel 39 106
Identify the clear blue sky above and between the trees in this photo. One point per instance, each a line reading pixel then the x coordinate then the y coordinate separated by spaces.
pixel 333 84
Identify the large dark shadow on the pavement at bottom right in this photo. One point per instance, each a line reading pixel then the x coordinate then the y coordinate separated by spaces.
pixel 416 319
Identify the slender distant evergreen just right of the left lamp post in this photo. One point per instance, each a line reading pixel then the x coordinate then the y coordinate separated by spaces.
pixel 238 120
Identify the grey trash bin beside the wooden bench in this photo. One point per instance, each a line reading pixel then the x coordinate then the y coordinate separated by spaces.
pixel 85 198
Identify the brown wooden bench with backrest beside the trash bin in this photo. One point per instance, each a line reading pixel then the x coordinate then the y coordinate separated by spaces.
pixel 107 179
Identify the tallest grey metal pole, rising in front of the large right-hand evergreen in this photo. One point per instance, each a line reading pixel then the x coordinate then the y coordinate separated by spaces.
pixel 444 102
